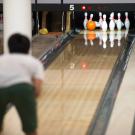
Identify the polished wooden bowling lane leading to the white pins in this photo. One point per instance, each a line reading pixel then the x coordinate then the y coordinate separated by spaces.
pixel 75 81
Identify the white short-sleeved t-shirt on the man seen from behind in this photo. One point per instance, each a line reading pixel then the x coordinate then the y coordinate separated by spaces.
pixel 19 68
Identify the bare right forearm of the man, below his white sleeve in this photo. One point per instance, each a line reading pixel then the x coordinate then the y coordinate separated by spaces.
pixel 37 83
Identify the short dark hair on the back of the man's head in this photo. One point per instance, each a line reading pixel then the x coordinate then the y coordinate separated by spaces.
pixel 18 43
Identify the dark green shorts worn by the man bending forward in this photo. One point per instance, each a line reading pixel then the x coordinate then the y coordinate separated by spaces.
pixel 23 98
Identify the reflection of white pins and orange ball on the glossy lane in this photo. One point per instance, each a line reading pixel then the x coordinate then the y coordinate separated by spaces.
pixel 105 39
